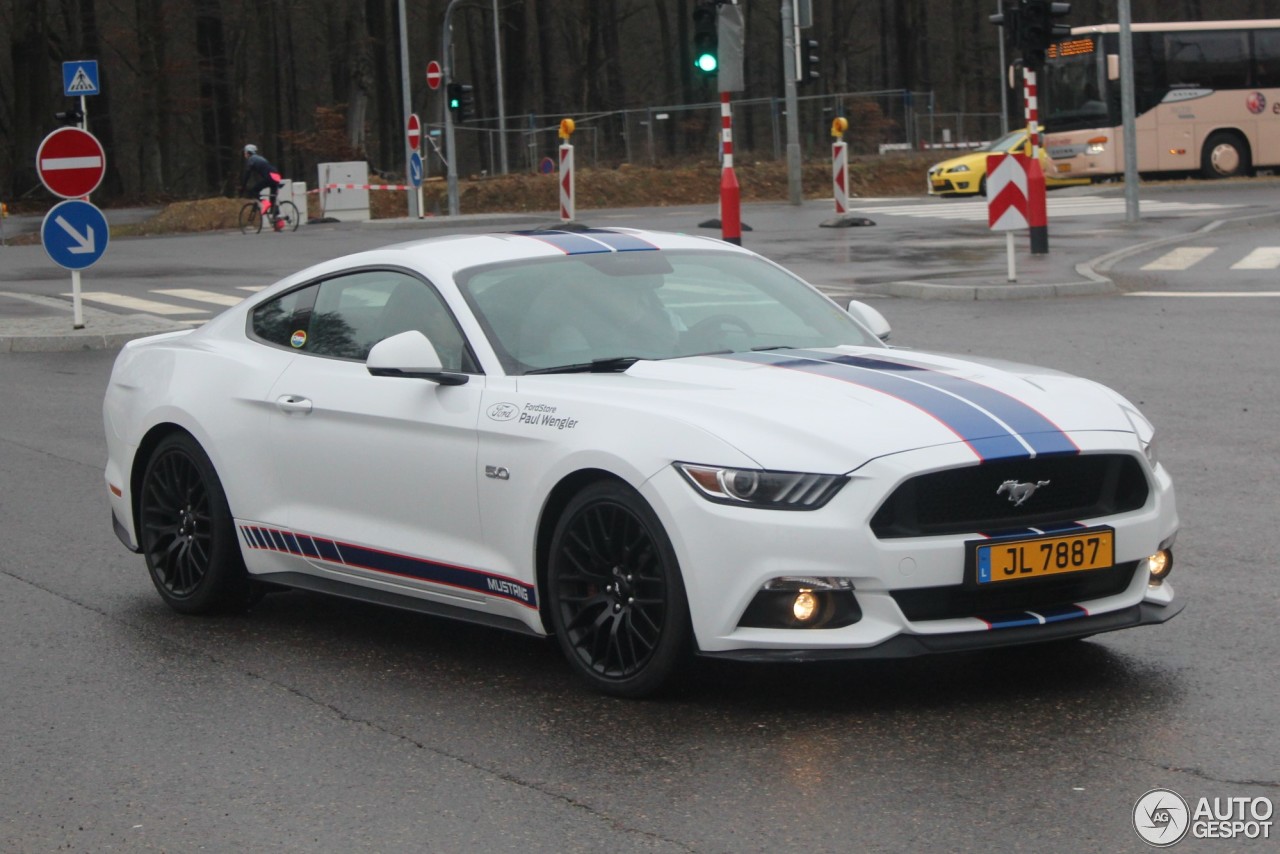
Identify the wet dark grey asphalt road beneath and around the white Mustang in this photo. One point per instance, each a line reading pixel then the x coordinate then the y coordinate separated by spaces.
pixel 318 725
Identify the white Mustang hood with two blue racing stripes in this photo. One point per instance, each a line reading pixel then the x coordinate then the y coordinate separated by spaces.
pixel 834 410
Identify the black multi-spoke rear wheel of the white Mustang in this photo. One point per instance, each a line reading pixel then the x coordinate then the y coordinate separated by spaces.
pixel 188 535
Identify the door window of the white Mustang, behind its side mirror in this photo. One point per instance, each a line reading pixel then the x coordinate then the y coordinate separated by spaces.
pixel 354 313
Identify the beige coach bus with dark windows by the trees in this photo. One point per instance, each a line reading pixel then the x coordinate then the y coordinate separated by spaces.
pixel 1208 99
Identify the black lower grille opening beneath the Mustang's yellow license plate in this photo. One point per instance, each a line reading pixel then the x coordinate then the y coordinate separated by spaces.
pixel 950 602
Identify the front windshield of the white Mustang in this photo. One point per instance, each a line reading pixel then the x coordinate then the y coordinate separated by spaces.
pixel 601 312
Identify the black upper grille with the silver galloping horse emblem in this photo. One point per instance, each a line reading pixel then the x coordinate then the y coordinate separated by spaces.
pixel 964 501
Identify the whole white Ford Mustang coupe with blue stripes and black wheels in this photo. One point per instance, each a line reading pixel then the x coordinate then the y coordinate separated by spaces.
pixel 644 445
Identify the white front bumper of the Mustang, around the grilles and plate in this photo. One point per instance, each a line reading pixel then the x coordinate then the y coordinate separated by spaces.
pixel 728 555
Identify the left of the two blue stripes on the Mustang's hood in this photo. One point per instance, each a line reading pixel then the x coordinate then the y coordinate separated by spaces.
pixel 982 433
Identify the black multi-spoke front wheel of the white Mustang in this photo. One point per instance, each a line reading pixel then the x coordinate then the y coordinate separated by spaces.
pixel 615 593
